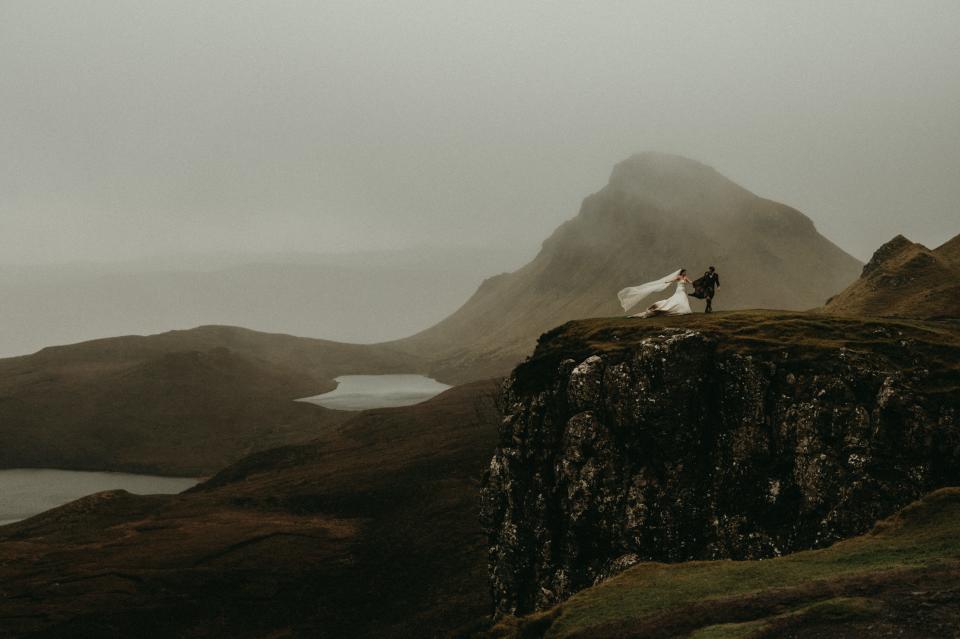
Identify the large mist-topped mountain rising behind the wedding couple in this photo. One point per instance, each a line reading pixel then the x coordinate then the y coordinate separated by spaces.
pixel 658 213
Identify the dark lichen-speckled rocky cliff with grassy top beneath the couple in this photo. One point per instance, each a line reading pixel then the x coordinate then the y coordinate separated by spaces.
pixel 738 436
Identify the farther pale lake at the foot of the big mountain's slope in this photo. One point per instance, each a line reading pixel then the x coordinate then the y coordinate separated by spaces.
pixel 360 392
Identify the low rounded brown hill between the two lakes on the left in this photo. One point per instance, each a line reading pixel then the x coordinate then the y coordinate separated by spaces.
pixel 178 403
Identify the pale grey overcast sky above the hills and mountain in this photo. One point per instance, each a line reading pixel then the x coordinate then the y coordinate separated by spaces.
pixel 142 128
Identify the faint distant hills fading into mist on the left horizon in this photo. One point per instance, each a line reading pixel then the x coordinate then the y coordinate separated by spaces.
pixel 351 297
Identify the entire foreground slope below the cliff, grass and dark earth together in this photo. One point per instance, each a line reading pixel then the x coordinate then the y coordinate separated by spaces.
pixel 901 579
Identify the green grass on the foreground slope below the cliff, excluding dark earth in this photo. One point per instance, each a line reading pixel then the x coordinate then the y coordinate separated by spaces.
pixel 924 535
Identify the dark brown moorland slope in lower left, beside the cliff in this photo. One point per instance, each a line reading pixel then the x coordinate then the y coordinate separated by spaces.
pixel 370 531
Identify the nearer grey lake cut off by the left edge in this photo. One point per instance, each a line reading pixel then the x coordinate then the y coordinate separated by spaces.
pixel 24 492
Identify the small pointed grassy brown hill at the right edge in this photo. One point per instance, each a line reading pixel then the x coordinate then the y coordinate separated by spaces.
pixel 905 279
